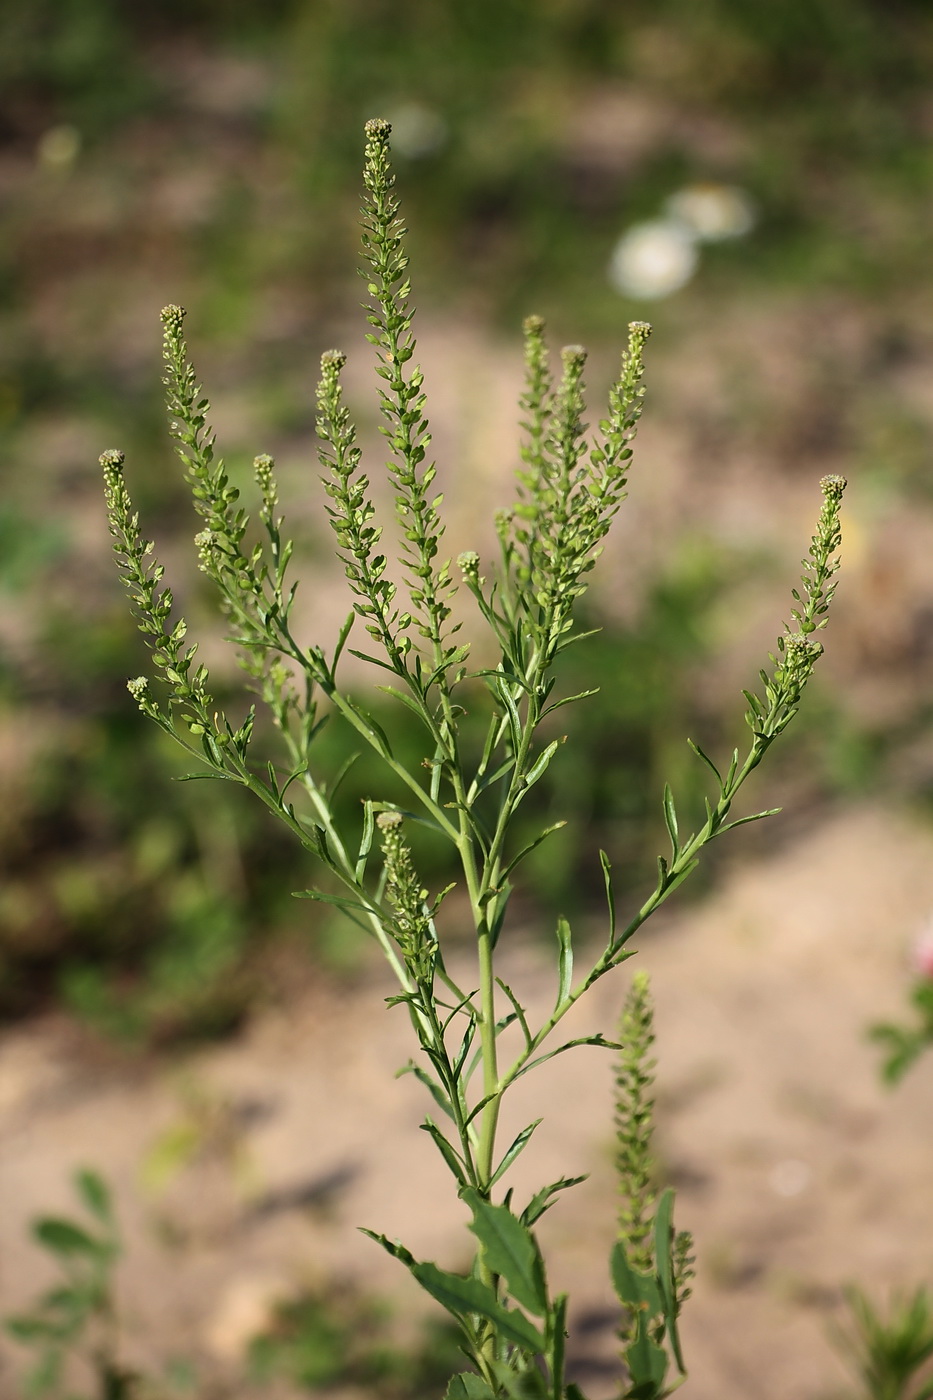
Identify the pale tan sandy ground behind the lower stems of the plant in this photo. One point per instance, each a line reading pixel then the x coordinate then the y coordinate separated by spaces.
pixel 795 1170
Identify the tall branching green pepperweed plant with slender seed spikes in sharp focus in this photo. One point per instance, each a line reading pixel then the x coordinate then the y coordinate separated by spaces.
pixel 474 1032
